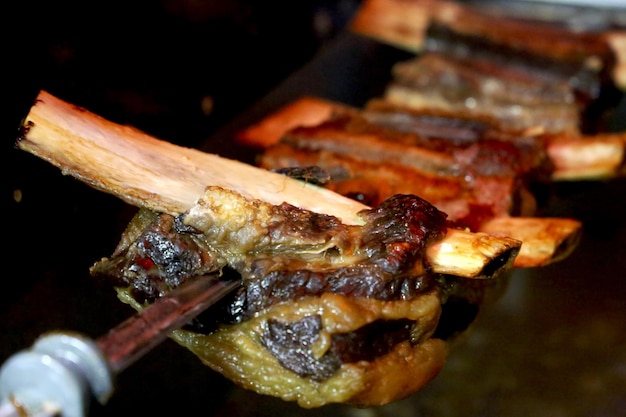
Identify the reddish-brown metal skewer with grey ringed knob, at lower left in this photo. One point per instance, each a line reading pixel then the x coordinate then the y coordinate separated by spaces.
pixel 59 374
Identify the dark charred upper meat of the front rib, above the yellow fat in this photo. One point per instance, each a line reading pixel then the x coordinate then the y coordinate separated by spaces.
pixel 385 256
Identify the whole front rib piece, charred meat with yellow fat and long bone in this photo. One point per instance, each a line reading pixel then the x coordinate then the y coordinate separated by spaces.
pixel 380 277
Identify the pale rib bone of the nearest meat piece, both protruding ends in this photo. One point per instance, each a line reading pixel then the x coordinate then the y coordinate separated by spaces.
pixel 148 172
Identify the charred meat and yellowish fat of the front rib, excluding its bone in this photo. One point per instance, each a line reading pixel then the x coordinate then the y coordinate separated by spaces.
pixel 291 257
